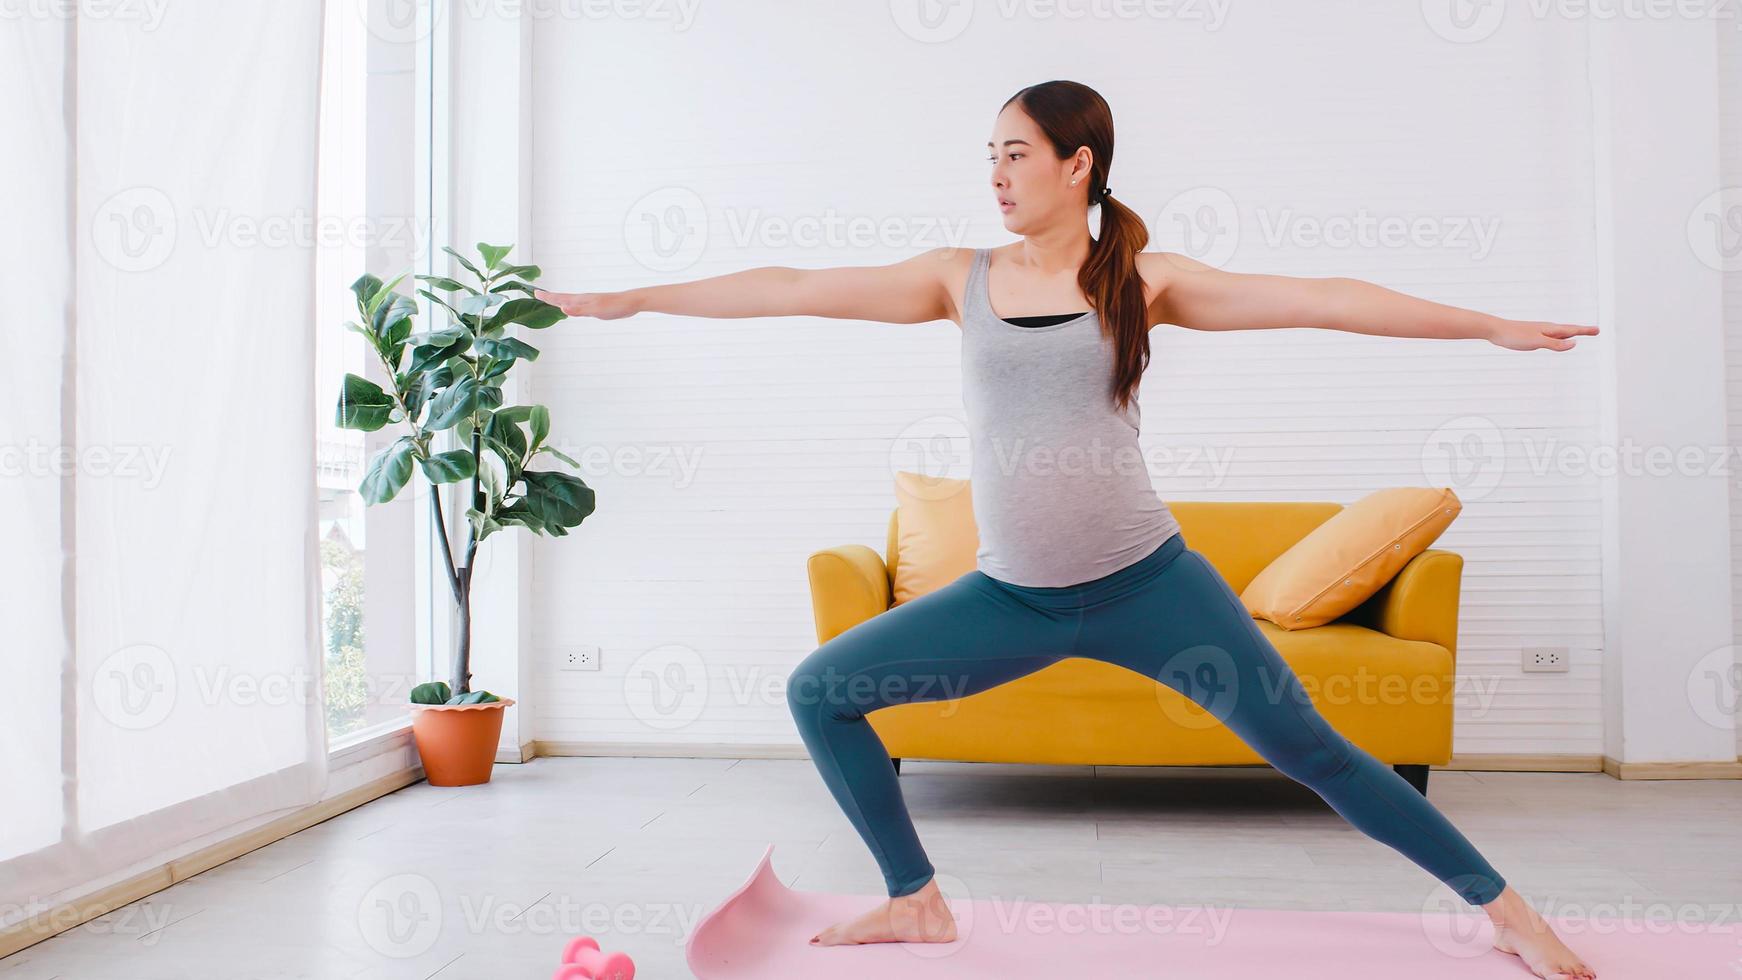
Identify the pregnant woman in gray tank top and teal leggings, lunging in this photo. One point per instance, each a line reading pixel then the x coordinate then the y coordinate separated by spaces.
pixel 1083 561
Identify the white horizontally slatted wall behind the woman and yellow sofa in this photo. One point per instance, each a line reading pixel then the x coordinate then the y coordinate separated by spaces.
pixel 1246 142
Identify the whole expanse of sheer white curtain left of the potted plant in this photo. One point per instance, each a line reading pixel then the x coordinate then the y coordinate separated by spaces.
pixel 163 591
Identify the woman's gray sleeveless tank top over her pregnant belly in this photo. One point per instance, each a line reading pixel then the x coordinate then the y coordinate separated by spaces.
pixel 1062 490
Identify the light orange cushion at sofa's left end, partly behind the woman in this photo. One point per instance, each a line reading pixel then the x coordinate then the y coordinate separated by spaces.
pixel 938 539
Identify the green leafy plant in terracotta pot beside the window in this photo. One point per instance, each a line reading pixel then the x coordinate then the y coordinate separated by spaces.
pixel 450 380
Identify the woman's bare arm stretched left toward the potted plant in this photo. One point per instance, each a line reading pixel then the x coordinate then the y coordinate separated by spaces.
pixel 910 292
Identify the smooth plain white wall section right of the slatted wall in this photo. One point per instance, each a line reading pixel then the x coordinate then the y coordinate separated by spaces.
pixel 1666 593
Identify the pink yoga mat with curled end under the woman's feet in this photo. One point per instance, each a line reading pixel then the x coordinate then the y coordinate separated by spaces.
pixel 762 932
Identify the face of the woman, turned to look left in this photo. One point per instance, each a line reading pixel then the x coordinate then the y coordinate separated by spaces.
pixel 1030 184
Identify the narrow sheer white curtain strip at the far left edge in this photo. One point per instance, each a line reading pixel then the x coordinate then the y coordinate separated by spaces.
pixel 36 276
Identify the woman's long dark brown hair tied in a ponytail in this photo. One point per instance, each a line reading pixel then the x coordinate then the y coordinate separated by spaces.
pixel 1074 116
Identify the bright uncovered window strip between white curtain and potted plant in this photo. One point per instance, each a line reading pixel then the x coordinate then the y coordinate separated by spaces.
pixel 375 90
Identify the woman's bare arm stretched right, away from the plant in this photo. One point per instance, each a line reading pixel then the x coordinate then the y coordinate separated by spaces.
pixel 1206 299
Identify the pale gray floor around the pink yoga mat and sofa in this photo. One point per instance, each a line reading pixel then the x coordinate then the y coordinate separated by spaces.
pixel 489 883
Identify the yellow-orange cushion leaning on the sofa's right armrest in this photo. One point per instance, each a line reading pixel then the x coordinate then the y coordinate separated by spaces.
pixel 1349 558
